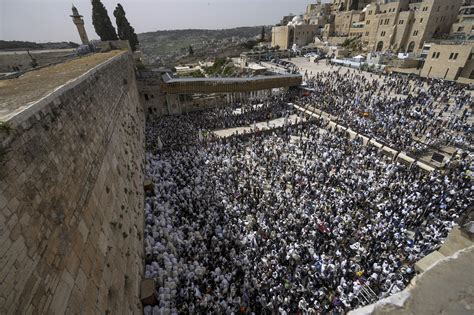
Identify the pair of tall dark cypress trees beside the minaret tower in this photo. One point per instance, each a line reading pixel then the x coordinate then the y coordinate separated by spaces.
pixel 104 28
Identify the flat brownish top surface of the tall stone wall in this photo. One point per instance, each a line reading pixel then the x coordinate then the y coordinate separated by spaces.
pixel 23 92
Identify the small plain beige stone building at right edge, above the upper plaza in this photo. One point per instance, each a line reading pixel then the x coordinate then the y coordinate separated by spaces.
pixel 450 61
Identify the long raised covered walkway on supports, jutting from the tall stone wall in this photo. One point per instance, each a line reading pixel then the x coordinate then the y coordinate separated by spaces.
pixel 163 94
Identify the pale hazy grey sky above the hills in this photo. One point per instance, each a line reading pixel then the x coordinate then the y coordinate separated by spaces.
pixel 48 20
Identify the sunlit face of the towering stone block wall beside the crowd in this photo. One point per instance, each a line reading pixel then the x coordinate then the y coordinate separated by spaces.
pixel 71 198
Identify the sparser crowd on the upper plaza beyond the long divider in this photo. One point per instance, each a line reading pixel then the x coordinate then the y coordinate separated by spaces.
pixel 407 114
